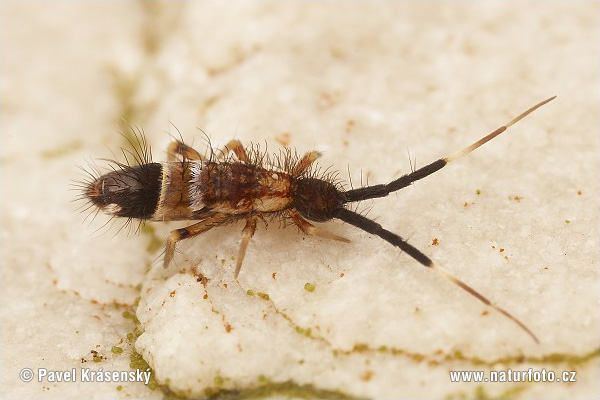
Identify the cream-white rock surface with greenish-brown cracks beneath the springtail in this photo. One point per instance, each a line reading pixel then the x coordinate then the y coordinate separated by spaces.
pixel 364 83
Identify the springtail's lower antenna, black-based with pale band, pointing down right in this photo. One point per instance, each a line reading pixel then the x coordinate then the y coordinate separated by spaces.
pixel 374 228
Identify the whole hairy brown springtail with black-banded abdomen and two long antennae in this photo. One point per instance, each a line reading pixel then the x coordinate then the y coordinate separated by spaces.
pixel 222 189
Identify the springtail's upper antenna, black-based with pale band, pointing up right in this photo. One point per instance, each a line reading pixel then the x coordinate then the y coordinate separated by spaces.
pixel 371 192
